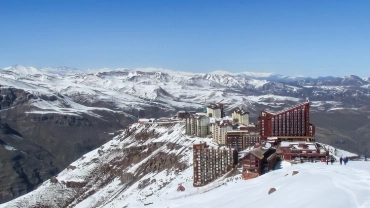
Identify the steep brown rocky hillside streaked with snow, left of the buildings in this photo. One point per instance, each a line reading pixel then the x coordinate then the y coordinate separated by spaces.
pixel 158 155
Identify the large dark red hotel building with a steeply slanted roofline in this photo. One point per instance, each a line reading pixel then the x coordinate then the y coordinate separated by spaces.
pixel 292 124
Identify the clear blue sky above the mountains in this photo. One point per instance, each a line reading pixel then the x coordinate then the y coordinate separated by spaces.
pixel 311 38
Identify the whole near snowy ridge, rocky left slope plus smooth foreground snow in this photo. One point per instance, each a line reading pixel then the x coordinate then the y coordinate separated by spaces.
pixel 143 166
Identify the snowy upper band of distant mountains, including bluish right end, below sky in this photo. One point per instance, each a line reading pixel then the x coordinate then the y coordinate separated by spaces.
pixel 128 89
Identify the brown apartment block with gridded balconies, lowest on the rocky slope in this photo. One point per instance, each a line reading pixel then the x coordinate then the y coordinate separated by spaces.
pixel 210 163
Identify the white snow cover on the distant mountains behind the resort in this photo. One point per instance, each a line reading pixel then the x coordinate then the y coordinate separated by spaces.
pixel 138 88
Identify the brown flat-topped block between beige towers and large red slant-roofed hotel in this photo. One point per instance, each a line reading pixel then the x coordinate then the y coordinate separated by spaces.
pixel 241 139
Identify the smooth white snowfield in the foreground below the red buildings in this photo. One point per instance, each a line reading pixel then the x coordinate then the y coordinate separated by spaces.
pixel 316 185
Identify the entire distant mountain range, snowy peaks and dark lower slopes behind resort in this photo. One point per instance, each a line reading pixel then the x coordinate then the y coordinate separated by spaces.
pixel 50 117
